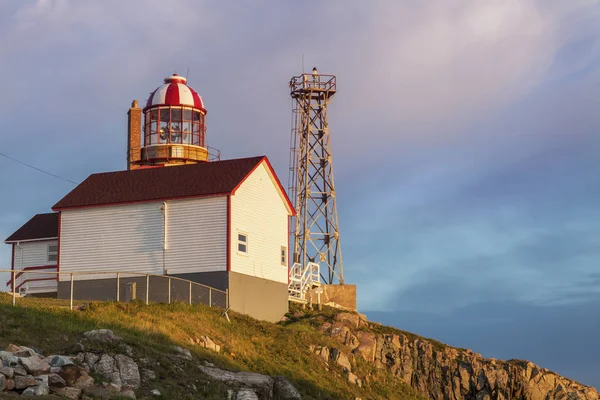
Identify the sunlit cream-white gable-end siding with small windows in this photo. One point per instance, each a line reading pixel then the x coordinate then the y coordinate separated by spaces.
pixel 258 210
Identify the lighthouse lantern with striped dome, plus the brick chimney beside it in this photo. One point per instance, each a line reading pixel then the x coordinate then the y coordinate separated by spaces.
pixel 173 130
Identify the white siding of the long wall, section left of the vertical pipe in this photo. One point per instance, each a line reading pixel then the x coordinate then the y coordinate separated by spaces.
pixel 112 238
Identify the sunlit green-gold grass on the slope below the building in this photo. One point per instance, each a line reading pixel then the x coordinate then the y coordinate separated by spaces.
pixel 152 330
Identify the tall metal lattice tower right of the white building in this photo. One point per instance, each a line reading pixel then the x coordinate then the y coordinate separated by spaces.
pixel 315 228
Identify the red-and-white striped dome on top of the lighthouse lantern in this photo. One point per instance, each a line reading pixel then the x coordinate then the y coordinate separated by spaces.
pixel 175 92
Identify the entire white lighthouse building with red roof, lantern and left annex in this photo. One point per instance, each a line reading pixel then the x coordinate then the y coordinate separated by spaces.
pixel 174 212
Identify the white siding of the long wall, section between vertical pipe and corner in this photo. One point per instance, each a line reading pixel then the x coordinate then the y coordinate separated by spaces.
pixel 197 235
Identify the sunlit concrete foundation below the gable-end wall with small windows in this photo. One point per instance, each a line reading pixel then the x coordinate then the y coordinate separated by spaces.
pixel 259 298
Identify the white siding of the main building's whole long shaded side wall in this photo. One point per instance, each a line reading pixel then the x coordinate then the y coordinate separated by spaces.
pixel 130 238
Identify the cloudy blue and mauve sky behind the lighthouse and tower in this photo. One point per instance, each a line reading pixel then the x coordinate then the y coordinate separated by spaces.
pixel 465 137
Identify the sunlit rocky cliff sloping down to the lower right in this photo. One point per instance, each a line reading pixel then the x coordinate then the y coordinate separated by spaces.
pixel 438 371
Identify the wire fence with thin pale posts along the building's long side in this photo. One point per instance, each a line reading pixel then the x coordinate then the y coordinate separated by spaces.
pixel 111 286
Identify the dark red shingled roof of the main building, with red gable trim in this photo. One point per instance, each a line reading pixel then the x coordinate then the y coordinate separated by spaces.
pixel 153 184
